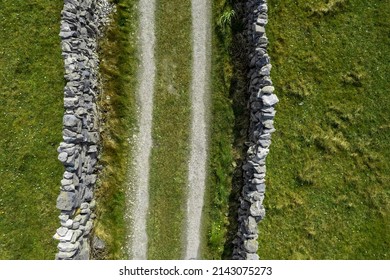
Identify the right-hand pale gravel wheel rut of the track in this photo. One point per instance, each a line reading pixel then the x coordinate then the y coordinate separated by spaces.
pixel 199 99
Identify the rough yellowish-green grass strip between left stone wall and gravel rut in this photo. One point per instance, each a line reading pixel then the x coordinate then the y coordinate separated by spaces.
pixel 117 104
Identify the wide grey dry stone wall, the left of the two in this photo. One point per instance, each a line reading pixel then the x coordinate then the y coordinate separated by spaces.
pixel 80 23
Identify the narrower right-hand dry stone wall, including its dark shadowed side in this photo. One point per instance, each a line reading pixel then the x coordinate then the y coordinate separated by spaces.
pixel 262 112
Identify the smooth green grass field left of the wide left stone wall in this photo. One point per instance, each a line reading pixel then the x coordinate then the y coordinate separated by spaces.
pixel 31 106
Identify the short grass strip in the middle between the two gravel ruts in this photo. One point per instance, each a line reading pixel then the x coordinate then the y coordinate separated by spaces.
pixel 171 128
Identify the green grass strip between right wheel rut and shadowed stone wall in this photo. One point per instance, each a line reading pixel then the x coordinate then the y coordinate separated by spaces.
pixel 227 133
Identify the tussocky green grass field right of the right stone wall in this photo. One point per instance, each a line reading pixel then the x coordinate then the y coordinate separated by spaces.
pixel 328 191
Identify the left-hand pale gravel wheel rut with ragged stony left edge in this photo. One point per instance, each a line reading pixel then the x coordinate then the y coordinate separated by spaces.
pixel 140 181
